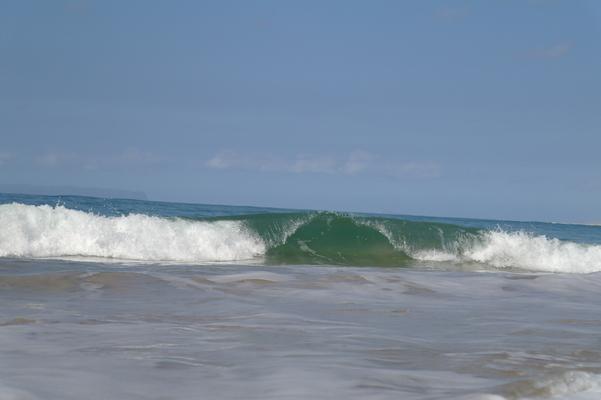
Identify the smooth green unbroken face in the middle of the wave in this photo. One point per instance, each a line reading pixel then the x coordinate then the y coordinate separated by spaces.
pixel 338 239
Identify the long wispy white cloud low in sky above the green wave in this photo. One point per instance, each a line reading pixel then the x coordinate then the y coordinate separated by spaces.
pixel 356 162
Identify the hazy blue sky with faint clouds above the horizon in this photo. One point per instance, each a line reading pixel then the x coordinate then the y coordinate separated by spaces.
pixel 488 109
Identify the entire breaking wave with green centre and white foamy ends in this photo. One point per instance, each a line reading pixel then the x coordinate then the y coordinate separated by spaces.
pixel 278 238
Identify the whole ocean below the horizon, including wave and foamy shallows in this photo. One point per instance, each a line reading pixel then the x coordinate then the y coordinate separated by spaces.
pixel 132 299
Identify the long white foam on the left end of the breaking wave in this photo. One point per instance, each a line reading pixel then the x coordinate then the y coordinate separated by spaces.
pixel 46 231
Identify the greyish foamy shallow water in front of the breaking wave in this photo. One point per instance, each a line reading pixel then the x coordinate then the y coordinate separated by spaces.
pixel 72 330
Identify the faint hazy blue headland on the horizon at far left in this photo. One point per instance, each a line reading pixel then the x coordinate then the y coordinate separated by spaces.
pixel 73 190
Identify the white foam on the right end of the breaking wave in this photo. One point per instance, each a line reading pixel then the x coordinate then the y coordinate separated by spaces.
pixel 534 252
